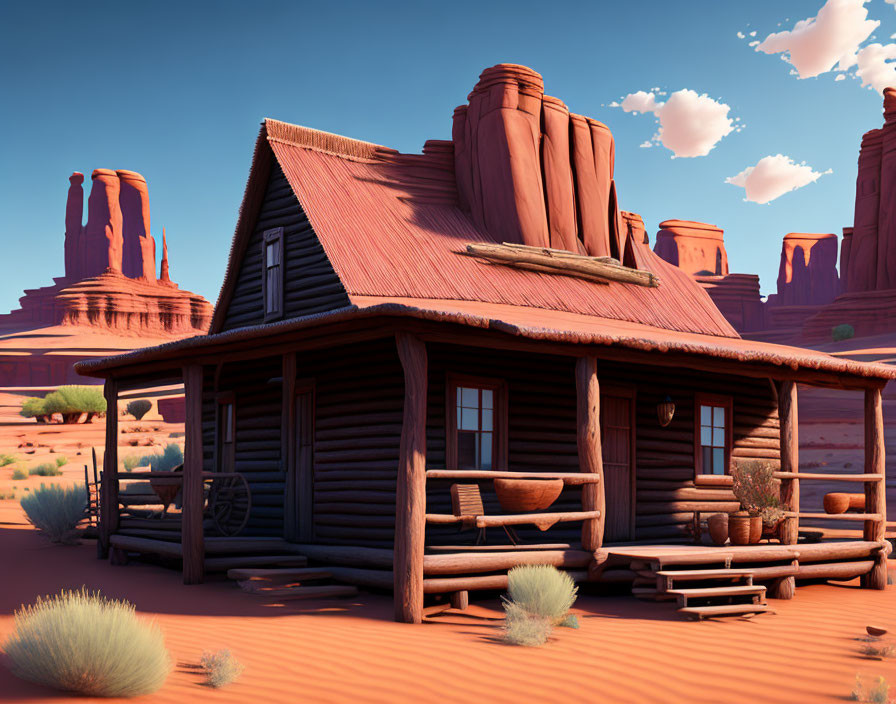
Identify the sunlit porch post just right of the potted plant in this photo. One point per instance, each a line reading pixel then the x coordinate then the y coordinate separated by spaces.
pixel 790 488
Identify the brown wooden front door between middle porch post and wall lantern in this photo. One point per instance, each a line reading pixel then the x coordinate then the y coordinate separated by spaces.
pixel 617 424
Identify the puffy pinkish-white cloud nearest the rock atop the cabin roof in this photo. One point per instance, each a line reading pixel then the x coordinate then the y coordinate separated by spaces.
pixel 689 124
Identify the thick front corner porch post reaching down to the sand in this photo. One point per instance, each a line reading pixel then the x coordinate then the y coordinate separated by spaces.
pixel 410 495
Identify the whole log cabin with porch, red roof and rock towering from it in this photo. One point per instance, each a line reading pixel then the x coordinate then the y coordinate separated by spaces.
pixel 396 331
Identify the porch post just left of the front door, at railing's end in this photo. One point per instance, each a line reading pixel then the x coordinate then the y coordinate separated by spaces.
pixel 590 454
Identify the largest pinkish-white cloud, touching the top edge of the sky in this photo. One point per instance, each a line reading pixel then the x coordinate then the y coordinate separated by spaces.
pixel 816 44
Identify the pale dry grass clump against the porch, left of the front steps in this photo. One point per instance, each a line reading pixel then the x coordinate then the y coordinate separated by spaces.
pixel 539 598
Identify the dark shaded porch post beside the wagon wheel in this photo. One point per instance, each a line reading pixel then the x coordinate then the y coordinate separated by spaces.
pixel 191 512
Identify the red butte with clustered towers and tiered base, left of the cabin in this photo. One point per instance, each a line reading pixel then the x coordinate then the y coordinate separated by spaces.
pixel 110 281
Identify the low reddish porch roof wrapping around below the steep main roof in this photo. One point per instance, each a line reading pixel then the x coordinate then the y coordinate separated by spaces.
pixel 553 326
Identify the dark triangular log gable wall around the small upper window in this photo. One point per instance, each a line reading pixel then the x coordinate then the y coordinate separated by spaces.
pixel 310 283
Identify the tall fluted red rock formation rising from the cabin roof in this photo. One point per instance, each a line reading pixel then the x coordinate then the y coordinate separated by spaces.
pixel 546 174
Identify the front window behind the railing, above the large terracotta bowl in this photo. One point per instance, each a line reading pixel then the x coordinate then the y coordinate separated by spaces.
pixel 477 424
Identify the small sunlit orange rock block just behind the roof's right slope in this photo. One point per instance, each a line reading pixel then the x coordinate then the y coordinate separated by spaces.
pixel 696 247
